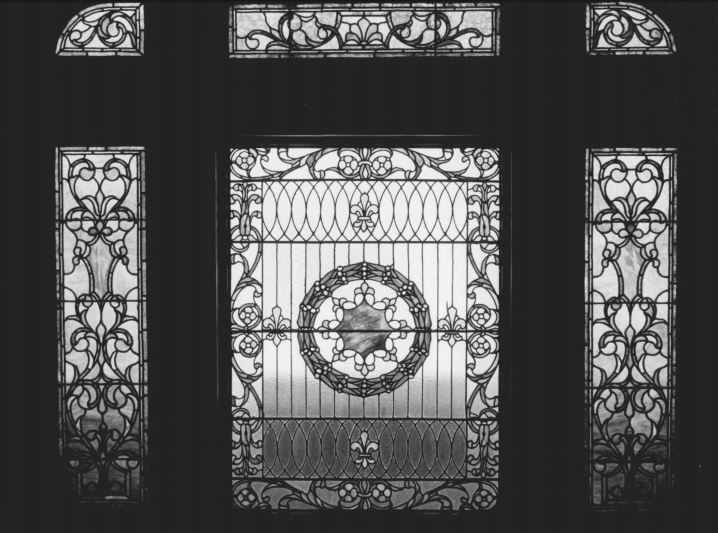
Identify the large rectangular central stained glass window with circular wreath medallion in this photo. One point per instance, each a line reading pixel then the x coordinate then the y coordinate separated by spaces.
pixel 365 327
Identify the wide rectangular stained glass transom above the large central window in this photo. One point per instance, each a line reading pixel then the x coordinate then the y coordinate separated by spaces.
pixel 364 30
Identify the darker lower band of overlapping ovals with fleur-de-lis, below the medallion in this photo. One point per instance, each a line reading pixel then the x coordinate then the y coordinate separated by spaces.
pixel 391 449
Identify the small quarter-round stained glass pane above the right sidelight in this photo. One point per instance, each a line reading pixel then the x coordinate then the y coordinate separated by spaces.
pixel 626 28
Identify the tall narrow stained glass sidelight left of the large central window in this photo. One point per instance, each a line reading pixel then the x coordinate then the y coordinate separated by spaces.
pixel 101 319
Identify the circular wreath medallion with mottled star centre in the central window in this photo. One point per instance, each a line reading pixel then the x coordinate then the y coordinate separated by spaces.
pixel 364 329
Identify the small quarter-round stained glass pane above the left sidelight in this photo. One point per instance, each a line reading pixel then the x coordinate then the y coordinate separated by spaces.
pixel 114 29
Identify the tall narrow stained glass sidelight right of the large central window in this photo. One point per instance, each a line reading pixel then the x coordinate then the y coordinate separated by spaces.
pixel 630 322
